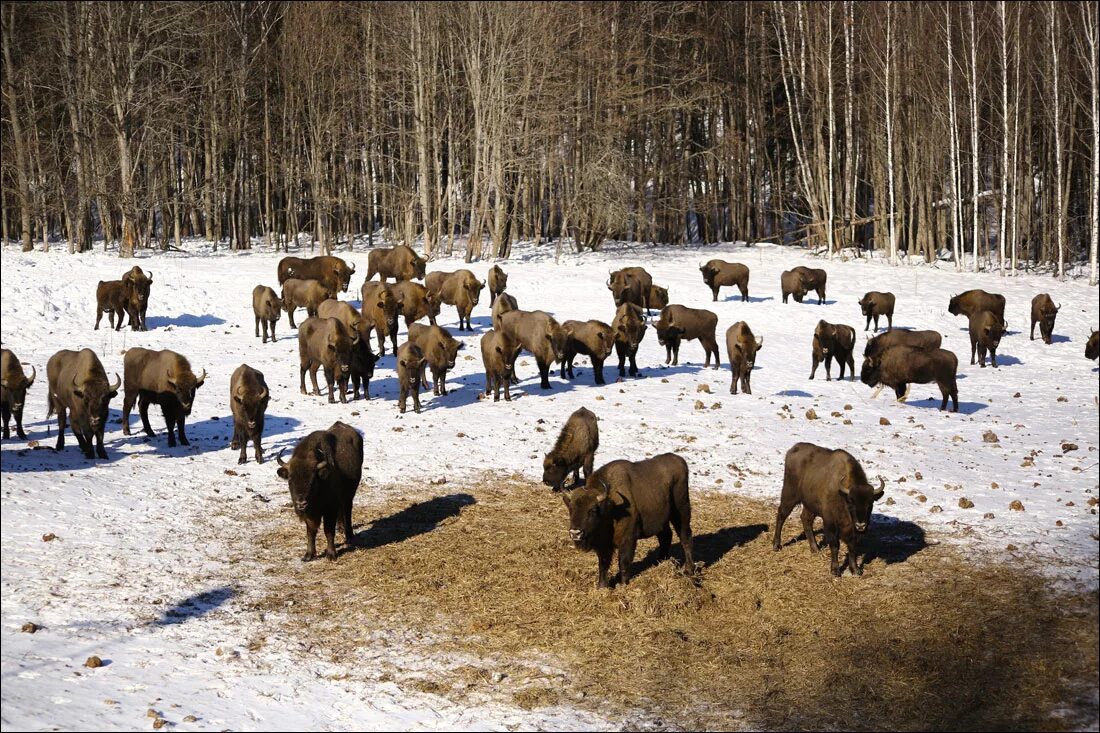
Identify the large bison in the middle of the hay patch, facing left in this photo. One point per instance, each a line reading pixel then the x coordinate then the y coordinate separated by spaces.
pixel 624 502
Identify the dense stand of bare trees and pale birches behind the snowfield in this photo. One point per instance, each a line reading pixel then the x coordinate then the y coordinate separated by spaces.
pixel 918 129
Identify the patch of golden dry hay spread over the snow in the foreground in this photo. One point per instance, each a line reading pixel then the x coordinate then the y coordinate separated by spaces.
pixel 926 640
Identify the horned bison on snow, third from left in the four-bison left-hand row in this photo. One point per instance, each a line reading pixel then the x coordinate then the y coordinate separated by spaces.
pixel 159 378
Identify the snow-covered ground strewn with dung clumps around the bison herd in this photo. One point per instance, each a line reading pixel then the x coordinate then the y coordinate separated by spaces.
pixel 139 571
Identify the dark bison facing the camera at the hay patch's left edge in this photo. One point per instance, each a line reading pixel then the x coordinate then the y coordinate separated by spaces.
pixel 324 474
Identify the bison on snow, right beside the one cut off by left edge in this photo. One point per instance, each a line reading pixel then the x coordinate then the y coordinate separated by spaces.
pixel 79 390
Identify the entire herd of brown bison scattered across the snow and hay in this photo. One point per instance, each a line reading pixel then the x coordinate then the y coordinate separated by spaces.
pixel 614 506
